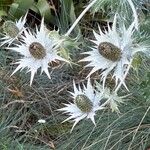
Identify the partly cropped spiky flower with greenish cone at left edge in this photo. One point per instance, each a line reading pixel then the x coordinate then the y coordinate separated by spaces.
pixel 13 30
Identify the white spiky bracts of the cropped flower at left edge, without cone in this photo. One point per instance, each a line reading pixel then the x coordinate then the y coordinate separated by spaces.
pixel 7 39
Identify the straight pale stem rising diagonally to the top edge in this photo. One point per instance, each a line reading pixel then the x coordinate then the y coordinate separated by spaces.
pixel 80 17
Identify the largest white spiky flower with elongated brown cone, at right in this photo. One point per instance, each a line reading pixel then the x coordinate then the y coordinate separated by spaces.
pixel 114 51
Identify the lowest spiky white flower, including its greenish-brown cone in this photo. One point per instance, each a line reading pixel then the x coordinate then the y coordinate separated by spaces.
pixel 86 103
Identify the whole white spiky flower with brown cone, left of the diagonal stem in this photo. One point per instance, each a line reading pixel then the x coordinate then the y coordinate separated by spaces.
pixel 38 51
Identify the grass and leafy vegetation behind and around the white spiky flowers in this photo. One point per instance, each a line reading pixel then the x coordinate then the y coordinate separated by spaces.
pixel 21 106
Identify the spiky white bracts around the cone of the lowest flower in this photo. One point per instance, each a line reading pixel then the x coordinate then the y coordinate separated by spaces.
pixel 72 109
